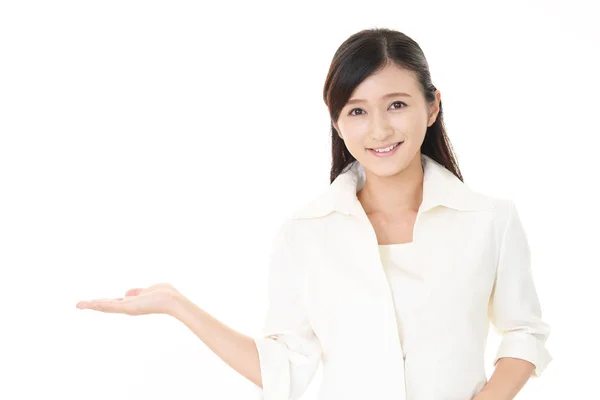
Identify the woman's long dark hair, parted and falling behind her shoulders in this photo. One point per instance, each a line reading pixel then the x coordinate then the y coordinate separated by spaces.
pixel 361 55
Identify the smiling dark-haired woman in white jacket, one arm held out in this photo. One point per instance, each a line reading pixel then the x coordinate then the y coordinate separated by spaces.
pixel 391 276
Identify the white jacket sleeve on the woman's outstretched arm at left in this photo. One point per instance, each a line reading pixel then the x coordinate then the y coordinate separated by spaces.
pixel 288 349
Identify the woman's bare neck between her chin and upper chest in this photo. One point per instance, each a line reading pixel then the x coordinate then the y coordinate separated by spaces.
pixel 396 193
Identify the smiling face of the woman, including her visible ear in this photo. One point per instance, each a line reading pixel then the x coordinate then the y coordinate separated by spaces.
pixel 386 108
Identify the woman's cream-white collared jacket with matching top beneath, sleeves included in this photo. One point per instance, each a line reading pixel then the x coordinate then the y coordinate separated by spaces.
pixel 332 303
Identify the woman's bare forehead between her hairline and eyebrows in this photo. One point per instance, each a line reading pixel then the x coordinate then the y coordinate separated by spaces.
pixel 391 78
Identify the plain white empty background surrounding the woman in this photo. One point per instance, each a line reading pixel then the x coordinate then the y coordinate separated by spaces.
pixel 145 141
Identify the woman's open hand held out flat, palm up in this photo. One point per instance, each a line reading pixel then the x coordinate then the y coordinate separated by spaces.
pixel 156 299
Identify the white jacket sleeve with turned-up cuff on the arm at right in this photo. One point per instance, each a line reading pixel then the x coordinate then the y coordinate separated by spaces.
pixel 514 306
